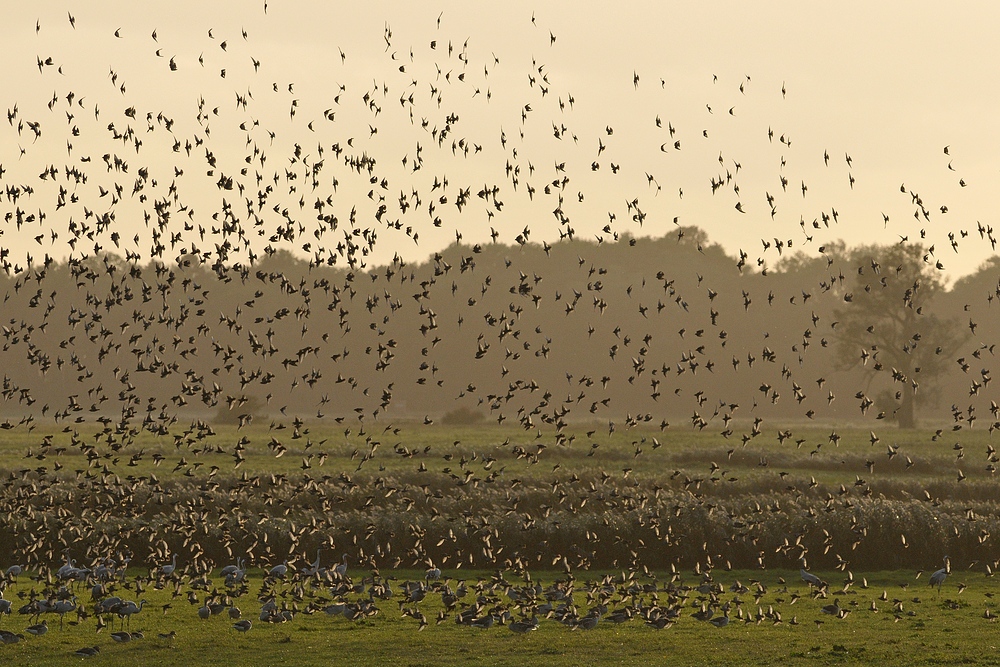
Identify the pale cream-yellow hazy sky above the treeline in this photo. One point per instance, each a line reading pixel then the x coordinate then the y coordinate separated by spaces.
pixel 889 84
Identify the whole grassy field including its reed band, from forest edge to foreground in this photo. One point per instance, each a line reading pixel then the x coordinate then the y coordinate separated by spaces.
pixel 476 499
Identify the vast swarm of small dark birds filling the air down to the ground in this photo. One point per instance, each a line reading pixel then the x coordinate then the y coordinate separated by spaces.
pixel 239 257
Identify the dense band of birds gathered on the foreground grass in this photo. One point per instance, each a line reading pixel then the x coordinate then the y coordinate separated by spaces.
pixel 283 593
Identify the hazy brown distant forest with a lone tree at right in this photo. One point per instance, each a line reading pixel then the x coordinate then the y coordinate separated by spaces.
pixel 642 330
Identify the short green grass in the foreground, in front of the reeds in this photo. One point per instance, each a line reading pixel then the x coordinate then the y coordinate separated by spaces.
pixel 912 626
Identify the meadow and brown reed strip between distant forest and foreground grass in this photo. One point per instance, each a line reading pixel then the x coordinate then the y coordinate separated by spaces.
pixel 483 496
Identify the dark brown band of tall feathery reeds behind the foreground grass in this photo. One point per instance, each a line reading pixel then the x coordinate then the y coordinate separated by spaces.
pixel 611 525
